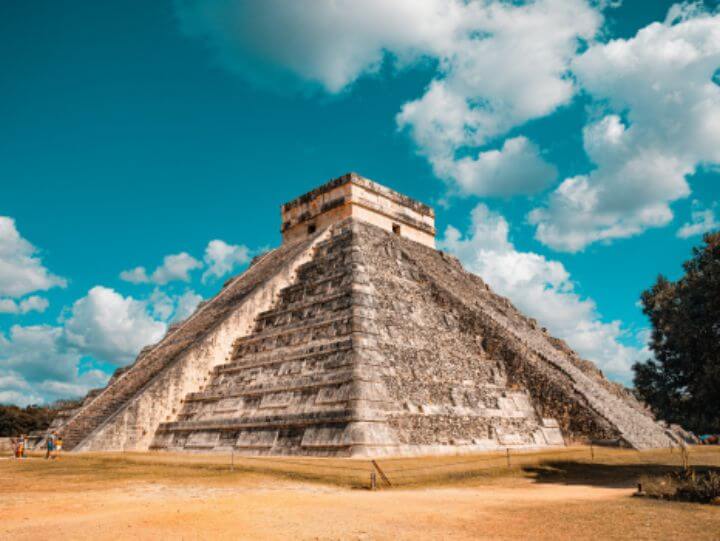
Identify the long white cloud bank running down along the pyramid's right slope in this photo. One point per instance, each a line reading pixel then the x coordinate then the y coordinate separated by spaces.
pixel 542 289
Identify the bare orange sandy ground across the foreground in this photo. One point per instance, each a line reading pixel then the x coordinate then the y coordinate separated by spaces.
pixel 77 498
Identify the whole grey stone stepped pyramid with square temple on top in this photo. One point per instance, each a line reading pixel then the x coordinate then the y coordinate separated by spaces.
pixel 357 337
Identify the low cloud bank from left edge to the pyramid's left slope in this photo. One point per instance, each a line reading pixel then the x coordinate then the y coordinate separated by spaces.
pixel 42 363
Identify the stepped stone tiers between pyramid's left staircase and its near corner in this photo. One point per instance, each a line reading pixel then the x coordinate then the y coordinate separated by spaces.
pixel 288 386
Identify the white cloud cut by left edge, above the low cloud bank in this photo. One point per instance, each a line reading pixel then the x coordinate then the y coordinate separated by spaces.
pixel 21 270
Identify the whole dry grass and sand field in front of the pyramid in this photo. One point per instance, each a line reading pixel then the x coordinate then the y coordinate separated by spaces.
pixel 566 494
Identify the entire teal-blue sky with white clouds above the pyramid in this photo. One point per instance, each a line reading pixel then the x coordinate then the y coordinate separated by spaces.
pixel 570 150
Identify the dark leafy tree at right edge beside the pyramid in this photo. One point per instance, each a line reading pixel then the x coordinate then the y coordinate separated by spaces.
pixel 682 383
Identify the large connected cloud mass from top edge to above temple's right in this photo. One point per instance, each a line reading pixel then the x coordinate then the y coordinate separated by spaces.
pixel 497 66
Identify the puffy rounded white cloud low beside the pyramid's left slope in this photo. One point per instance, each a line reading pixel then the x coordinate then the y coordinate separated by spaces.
pixel 111 327
